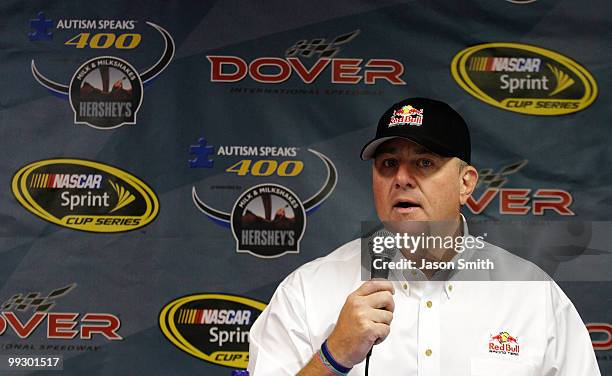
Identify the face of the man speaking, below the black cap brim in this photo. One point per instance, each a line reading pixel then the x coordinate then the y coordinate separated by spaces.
pixel 412 183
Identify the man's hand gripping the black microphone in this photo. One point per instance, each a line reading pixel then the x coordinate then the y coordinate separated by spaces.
pixel 363 322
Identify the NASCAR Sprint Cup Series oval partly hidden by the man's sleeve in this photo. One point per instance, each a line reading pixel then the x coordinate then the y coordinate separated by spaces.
pixel 212 327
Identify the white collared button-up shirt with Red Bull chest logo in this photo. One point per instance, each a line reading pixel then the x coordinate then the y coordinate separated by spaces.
pixel 439 328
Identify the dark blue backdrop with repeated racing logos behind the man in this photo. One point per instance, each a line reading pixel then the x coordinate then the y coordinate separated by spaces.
pixel 137 138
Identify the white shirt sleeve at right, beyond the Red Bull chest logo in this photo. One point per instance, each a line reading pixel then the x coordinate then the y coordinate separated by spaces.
pixel 569 351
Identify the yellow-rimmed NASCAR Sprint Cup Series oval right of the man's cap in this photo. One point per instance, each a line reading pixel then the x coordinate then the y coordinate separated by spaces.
pixel 524 78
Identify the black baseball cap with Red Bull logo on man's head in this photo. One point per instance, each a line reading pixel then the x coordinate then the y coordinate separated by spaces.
pixel 428 122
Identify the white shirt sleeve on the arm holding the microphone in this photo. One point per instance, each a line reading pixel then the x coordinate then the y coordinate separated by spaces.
pixel 279 342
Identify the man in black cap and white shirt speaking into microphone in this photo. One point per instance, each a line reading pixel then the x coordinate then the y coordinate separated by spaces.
pixel 323 319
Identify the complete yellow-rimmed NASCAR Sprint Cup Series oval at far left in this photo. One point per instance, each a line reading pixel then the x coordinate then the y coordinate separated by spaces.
pixel 85 195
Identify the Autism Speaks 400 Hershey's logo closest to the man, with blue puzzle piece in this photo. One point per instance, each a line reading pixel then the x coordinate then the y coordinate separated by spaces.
pixel 267 219
